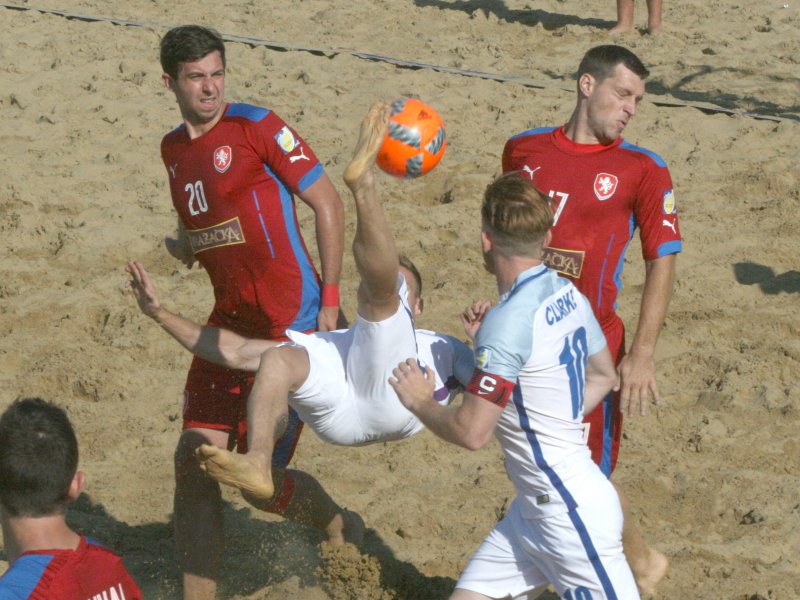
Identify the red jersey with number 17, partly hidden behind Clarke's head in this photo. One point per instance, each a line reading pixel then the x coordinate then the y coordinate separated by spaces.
pixel 600 195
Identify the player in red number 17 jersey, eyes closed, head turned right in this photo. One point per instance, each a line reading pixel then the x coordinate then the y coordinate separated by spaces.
pixel 602 189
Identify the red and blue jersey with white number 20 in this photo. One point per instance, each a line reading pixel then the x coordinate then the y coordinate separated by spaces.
pixel 233 190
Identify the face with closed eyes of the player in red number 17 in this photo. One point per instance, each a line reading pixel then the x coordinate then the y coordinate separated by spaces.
pixel 612 102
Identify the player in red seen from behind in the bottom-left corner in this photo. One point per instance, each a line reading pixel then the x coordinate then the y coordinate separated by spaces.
pixel 38 476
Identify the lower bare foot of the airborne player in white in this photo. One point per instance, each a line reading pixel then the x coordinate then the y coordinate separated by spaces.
pixel 242 471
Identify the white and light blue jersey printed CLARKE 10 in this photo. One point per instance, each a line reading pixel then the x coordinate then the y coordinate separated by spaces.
pixel 539 337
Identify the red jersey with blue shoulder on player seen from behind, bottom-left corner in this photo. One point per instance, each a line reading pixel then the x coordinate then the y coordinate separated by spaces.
pixel 88 572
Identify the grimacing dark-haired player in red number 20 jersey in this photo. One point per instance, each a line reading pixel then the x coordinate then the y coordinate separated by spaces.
pixel 234 170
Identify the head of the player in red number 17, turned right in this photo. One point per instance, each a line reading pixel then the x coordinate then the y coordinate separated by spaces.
pixel 610 85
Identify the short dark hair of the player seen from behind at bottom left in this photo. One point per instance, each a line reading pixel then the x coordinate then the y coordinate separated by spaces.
pixel 38 458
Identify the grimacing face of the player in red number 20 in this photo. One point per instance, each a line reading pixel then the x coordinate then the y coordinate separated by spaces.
pixel 200 89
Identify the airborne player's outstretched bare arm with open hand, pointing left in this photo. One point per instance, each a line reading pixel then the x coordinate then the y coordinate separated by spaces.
pixel 216 345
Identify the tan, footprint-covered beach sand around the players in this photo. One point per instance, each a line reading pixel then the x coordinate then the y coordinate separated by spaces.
pixel 713 474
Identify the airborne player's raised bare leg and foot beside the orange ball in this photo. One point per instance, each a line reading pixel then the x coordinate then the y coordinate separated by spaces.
pixel 373 246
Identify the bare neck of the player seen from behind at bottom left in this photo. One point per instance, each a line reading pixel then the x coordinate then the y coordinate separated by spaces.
pixel 27 534
